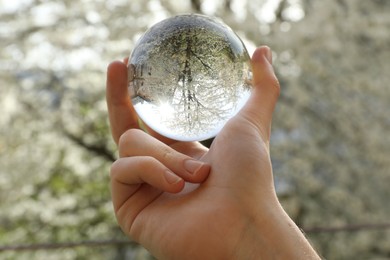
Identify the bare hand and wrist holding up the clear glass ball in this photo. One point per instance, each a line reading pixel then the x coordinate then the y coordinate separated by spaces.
pixel 182 201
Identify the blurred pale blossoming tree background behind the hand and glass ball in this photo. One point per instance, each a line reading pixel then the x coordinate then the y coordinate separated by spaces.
pixel 330 138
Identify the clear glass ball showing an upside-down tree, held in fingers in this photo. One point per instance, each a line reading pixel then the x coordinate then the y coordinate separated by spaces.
pixel 188 75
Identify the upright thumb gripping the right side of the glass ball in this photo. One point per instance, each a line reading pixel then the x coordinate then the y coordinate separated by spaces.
pixel 260 106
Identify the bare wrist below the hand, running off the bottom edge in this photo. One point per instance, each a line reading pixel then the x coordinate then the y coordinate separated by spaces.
pixel 271 234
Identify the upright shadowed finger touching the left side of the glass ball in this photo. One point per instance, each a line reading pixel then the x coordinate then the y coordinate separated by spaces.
pixel 121 113
